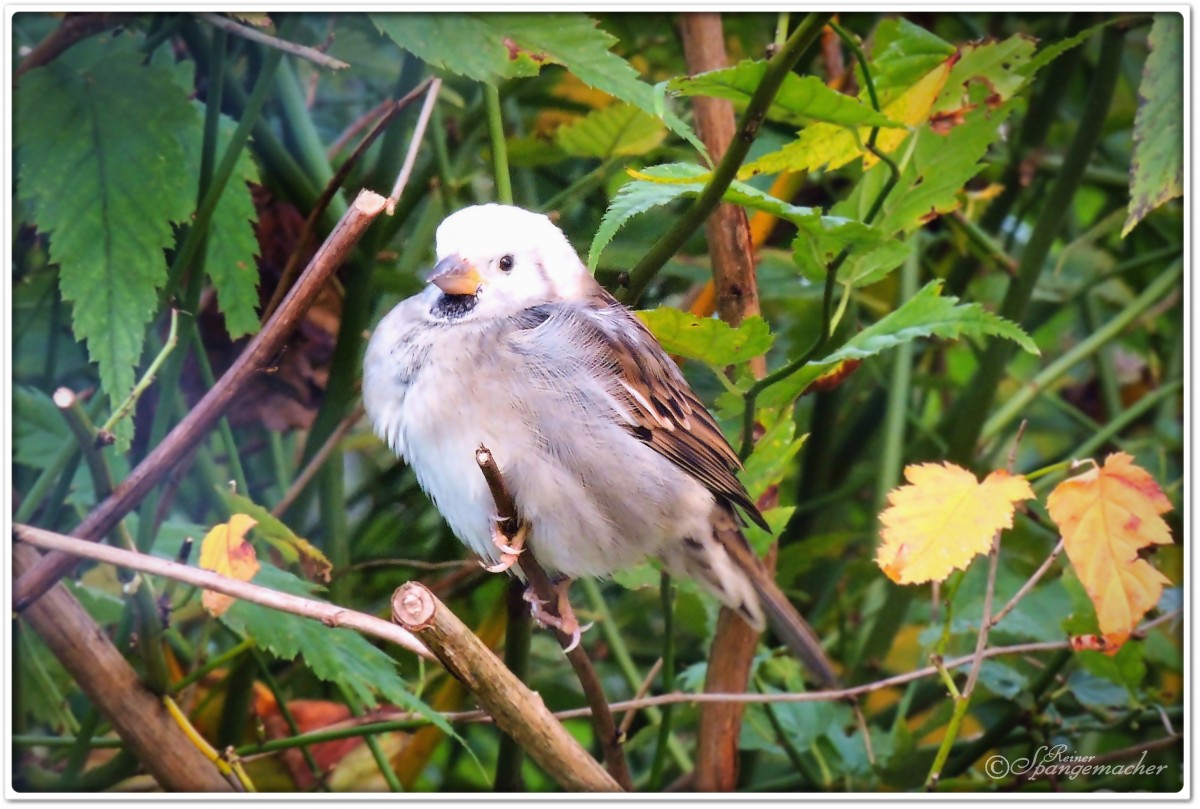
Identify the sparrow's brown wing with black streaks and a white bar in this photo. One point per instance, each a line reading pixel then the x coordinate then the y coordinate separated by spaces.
pixel 662 408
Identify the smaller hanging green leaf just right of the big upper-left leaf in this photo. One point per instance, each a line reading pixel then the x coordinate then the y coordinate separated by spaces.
pixel 232 243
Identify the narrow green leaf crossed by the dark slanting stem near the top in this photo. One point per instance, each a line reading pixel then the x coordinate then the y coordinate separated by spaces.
pixel 800 101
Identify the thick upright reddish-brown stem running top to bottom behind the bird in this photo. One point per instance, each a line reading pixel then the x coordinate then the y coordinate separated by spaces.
pixel 737 298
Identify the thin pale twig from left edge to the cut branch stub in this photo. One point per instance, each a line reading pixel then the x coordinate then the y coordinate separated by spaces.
pixel 328 614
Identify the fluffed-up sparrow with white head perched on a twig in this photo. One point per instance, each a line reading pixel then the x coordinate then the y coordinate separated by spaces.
pixel 610 457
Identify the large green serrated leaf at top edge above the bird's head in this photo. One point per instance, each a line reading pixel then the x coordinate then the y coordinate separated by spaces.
pixel 490 47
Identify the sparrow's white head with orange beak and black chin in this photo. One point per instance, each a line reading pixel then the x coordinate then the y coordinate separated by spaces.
pixel 495 261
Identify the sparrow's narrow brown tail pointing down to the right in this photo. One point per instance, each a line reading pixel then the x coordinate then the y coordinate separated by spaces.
pixel 733 572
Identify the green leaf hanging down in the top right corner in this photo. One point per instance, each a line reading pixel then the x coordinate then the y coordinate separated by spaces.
pixel 1157 171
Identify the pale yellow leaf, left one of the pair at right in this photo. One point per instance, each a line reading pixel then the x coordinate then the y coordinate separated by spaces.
pixel 944 519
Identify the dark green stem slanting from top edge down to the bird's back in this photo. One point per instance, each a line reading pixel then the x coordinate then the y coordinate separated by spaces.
pixel 778 69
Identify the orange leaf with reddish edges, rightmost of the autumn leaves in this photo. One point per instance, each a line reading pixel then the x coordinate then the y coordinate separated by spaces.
pixel 1107 516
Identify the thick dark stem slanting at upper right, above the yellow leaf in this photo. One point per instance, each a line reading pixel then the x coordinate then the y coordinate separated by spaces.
pixel 967 420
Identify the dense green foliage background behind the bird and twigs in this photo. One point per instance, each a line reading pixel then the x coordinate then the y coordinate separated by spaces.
pixel 117 148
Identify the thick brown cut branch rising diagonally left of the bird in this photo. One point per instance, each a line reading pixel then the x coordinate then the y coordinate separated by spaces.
pixel 205 416
